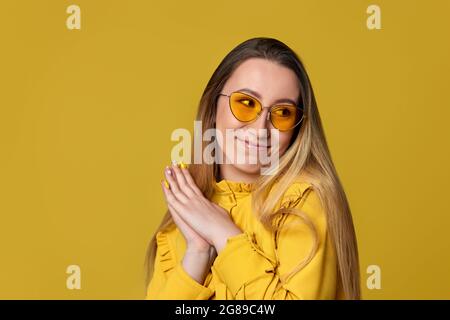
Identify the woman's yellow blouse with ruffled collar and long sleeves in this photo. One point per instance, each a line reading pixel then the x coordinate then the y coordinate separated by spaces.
pixel 249 267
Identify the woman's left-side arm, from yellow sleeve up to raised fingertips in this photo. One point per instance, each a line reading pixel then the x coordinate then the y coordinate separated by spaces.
pixel 174 279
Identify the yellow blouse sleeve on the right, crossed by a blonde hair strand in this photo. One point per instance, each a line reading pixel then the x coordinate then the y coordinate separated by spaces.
pixel 249 274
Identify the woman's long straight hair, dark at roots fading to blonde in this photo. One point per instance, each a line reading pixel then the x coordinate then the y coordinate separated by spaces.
pixel 308 156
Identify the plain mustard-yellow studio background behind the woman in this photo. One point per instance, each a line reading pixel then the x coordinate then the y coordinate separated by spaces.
pixel 86 117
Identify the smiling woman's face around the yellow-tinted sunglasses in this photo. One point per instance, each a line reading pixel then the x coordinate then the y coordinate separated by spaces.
pixel 270 83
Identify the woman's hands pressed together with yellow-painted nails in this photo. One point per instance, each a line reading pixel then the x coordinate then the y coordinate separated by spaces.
pixel 203 223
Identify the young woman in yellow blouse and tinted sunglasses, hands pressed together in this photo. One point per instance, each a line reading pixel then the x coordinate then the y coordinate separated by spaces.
pixel 231 232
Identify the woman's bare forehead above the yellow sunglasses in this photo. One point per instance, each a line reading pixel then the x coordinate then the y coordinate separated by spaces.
pixel 271 80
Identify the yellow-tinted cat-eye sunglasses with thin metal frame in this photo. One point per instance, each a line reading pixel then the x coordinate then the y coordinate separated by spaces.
pixel 247 108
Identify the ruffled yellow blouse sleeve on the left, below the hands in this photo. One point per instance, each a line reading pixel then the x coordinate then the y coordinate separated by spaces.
pixel 170 281
